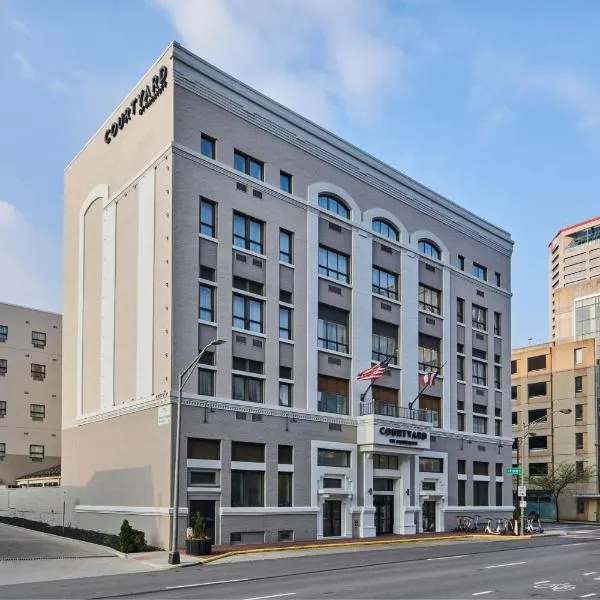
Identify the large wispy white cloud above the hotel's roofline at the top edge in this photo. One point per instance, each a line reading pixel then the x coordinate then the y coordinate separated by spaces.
pixel 315 56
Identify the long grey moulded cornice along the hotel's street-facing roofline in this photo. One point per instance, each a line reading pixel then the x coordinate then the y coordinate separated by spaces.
pixel 298 131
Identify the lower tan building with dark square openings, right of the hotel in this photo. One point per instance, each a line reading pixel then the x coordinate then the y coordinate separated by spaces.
pixel 548 378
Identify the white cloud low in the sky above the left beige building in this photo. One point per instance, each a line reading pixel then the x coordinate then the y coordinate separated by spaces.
pixel 30 263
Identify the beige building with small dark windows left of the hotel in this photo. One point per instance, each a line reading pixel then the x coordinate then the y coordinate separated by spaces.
pixel 30 391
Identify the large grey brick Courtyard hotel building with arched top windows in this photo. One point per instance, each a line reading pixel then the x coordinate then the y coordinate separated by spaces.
pixel 203 210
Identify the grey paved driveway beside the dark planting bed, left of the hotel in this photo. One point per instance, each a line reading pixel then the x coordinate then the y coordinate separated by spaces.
pixel 22 544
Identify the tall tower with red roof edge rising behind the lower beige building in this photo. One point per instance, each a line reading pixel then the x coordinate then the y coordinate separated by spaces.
pixel 574 282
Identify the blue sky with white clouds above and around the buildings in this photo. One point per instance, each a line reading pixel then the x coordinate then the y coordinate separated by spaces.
pixel 495 105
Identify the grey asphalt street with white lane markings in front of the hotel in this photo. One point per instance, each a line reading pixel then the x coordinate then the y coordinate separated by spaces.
pixel 547 567
